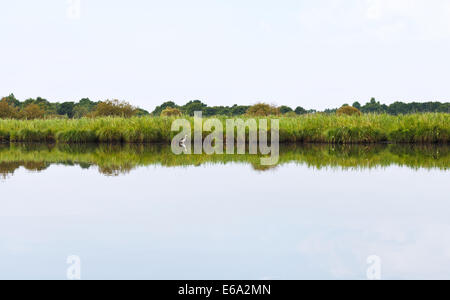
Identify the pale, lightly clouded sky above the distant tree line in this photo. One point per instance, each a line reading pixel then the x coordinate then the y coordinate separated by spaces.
pixel 315 54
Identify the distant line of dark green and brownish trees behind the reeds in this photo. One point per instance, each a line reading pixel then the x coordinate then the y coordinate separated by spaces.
pixel 11 108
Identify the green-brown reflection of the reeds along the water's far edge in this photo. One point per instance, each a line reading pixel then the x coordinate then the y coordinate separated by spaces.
pixel 118 159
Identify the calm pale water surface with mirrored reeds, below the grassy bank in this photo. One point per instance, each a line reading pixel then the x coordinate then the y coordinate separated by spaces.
pixel 139 212
